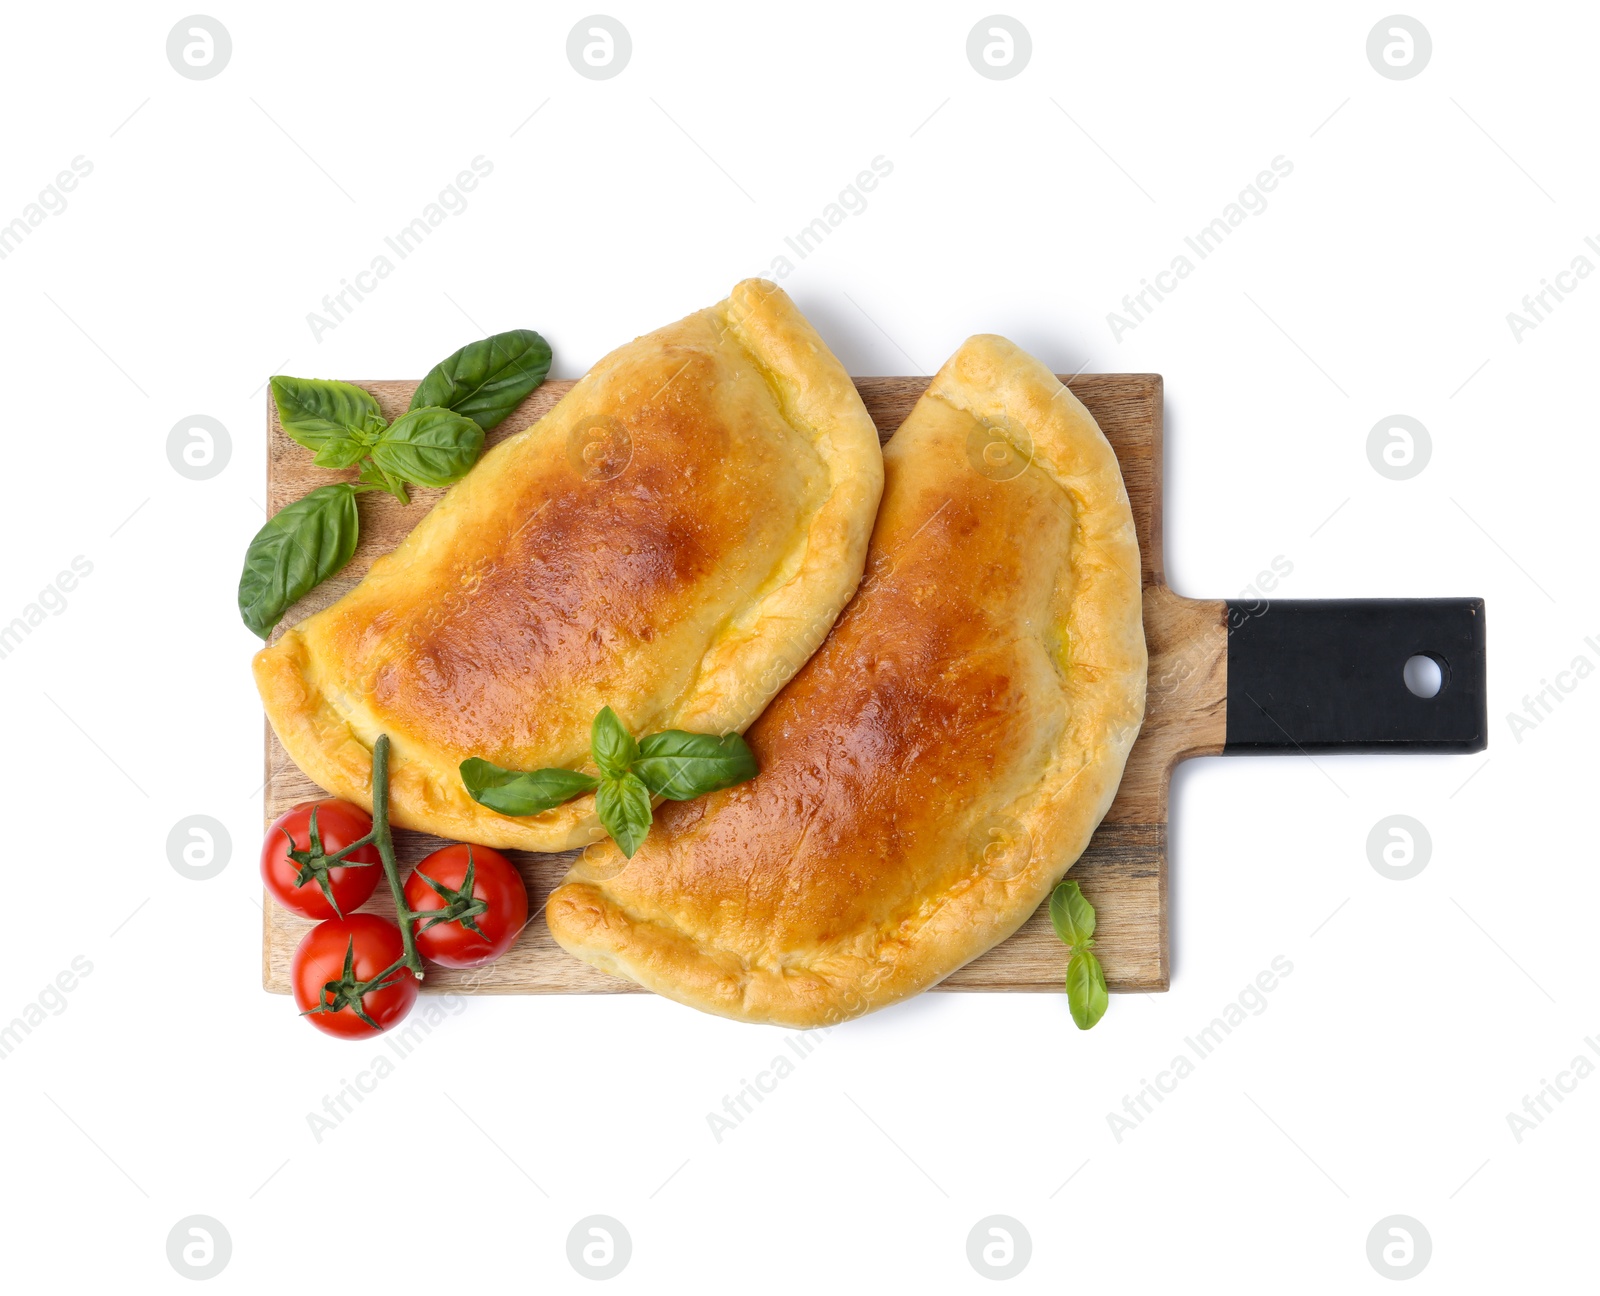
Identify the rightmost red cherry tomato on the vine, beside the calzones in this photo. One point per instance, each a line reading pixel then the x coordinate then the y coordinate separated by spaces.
pixel 497 905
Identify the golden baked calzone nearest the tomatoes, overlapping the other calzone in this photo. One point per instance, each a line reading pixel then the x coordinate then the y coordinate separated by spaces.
pixel 700 558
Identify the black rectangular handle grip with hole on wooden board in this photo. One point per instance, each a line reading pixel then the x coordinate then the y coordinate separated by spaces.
pixel 1329 676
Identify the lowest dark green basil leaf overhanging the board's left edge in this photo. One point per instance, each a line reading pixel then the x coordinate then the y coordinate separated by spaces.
pixel 300 548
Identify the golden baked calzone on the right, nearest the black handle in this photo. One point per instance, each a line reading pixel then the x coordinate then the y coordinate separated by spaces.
pixel 943 759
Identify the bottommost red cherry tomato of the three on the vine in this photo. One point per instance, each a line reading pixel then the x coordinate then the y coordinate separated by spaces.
pixel 330 967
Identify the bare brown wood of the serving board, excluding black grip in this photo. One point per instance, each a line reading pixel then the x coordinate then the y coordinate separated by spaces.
pixel 1124 871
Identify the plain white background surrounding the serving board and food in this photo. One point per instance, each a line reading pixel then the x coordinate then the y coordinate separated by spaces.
pixel 1418 1015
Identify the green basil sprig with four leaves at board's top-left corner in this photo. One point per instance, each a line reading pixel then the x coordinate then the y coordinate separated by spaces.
pixel 434 444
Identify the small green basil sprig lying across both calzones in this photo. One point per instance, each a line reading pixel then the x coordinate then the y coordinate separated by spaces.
pixel 671 764
